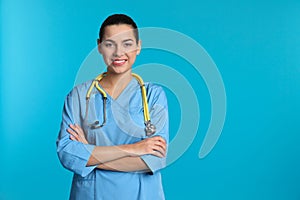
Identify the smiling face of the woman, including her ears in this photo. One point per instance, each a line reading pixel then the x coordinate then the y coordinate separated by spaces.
pixel 119 48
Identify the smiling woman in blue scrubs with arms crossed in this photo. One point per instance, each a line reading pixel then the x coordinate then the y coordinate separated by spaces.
pixel 102 139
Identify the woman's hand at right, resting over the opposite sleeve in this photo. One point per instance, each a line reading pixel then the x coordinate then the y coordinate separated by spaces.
pixel 154 145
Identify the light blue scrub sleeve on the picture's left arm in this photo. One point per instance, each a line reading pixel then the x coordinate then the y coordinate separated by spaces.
pixel 73 155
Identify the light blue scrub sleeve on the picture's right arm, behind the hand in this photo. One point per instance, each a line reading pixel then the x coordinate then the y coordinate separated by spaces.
pixel 158 107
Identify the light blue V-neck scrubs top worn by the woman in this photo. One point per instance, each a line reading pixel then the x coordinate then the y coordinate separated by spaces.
pixel 124 125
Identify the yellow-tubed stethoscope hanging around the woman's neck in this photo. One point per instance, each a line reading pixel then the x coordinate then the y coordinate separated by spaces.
pixel 150 129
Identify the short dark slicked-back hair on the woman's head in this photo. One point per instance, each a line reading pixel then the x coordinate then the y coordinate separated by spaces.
pixel 117 19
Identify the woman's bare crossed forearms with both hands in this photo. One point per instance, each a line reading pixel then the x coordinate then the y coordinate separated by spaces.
pixel 123 157
